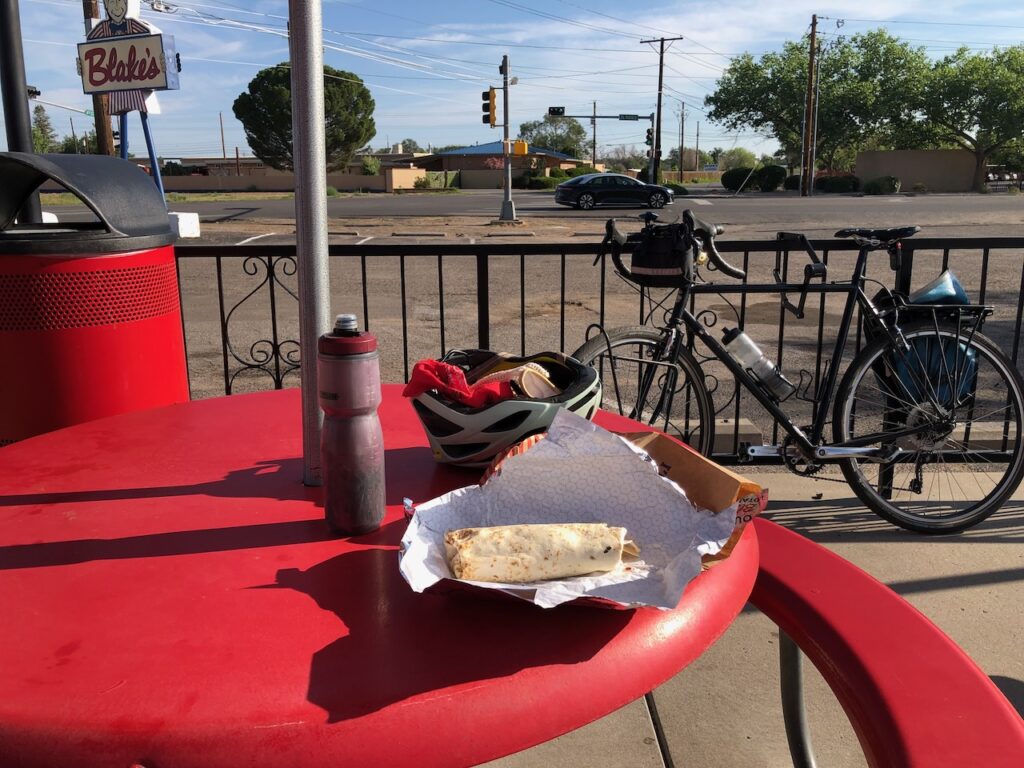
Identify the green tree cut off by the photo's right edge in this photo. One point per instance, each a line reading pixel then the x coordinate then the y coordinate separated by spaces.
pixel 977 102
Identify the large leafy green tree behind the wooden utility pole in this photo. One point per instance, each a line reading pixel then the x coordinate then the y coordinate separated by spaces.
pixel 866 91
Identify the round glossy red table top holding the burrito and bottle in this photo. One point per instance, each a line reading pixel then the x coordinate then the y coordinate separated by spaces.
pixel 173 598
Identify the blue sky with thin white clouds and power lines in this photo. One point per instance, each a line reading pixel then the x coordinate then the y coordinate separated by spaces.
pixel 428 64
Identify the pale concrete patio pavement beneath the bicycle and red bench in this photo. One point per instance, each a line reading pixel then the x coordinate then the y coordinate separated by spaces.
pixel 724 711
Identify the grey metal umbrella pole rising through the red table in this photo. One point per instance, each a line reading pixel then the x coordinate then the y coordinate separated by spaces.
pixel 307 35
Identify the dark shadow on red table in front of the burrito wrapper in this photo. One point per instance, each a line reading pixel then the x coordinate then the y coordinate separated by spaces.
pixel 400 645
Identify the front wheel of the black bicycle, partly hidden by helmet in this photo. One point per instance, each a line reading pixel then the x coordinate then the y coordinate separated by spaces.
pixel 636 382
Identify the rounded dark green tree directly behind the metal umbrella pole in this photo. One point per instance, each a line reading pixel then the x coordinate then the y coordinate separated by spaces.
pixel 266 112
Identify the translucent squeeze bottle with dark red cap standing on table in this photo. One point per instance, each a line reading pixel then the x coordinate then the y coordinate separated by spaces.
pixel 352 442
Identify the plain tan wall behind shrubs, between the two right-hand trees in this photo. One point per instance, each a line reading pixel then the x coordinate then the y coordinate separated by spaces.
pixel 938 170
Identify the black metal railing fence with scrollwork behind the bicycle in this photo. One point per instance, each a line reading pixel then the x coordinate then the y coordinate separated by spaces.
pixel 423 301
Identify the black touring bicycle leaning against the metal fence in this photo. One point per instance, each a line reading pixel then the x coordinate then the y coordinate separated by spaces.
pixel 926 420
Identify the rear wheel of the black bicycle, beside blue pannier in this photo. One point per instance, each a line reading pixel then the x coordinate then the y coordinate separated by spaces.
pixel 952 406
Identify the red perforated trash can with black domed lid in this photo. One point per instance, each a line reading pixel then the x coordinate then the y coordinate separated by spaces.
pixel 91 316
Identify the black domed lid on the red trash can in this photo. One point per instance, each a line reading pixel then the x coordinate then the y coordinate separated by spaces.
pixel 131 210
